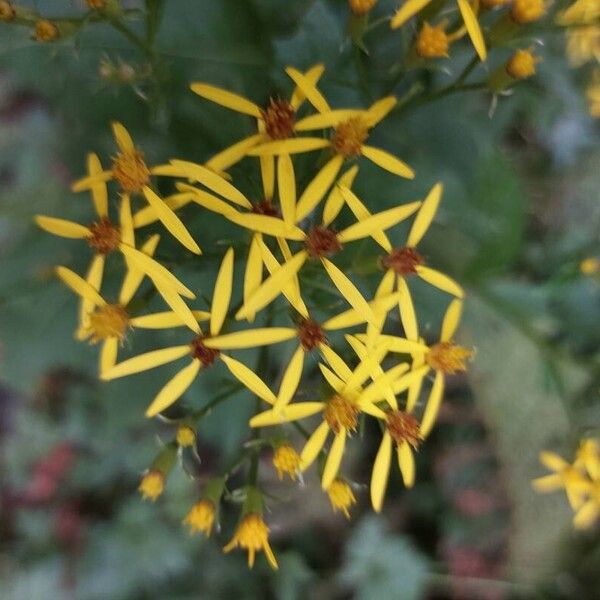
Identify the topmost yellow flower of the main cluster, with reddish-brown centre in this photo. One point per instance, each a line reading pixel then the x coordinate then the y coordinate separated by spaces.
pixel 276 121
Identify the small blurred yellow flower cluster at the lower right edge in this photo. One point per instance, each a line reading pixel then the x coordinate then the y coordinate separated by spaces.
pixel 580 480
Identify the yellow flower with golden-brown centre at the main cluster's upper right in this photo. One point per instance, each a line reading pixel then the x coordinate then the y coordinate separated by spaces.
pixel 351 128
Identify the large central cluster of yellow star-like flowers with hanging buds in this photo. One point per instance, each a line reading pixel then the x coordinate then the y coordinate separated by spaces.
pixel 369 367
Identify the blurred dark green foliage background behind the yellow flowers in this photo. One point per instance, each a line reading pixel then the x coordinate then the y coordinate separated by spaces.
pixel 520 212
